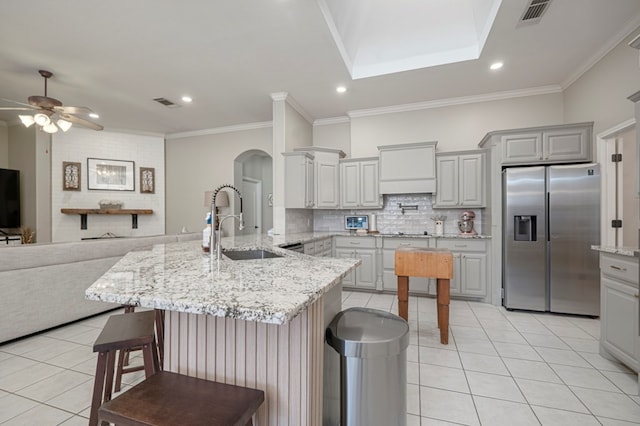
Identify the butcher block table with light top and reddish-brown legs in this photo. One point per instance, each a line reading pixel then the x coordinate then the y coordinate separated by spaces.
pixel 429 263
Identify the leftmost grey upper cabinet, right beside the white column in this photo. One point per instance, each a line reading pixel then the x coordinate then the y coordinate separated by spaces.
pixel 299 180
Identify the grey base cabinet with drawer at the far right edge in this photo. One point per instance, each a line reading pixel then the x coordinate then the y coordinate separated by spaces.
pixel 619 308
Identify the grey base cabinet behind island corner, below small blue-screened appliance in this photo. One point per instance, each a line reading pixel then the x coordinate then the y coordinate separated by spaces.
pixel 363 248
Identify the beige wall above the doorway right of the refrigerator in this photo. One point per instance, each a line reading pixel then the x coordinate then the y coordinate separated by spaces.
pixel 600 94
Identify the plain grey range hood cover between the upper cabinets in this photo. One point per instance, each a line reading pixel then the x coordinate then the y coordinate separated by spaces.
pixel 408 168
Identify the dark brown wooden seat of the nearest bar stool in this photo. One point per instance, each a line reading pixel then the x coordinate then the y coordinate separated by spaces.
pixel 174 399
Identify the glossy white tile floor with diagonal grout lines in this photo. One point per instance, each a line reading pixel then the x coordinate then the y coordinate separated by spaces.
pixel 500 368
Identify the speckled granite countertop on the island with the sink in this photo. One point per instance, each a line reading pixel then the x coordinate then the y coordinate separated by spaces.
pixel 180 277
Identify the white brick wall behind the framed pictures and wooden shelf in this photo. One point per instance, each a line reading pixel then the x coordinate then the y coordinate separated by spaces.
pixel 77 145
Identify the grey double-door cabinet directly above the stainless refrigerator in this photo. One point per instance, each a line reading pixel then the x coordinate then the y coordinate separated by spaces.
pixel 566 143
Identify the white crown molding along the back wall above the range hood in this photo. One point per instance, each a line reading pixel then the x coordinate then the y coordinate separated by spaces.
pixel 497 96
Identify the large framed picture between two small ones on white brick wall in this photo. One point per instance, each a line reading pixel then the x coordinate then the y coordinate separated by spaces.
pixel 113 175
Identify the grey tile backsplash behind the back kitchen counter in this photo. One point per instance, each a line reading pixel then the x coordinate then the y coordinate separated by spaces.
pixel 391 220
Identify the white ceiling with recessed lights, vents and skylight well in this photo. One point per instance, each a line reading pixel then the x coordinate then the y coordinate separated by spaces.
pixel 230 56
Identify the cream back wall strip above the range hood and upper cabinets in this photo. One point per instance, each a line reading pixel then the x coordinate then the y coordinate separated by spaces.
pixel 456 127
